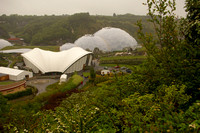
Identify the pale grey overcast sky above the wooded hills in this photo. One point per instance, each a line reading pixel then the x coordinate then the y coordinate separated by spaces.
pixel 94 7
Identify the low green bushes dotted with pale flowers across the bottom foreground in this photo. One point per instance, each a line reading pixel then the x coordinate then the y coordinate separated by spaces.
pixel 107 109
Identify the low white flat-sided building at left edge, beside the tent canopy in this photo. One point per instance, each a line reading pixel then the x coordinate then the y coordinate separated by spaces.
pixel 15 74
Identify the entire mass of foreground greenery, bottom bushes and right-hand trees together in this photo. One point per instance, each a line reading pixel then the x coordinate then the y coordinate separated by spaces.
pixel 161 95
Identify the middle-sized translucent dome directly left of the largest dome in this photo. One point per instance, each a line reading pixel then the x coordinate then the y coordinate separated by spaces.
pixel 91 42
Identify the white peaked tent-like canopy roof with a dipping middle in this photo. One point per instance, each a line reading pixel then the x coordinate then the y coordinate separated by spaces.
pixel 47 61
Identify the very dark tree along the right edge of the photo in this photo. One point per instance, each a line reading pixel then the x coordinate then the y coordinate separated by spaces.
pixel 192 36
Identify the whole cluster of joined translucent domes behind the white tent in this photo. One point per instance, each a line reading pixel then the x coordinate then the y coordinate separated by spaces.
pixel 106 39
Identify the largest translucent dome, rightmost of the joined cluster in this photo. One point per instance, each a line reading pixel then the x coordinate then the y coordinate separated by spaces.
pixel 116 38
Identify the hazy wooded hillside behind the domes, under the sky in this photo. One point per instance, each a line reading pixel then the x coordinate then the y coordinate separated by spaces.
pixel 56 30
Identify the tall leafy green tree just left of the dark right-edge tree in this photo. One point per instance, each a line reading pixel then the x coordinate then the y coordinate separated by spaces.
pixel 163 60
